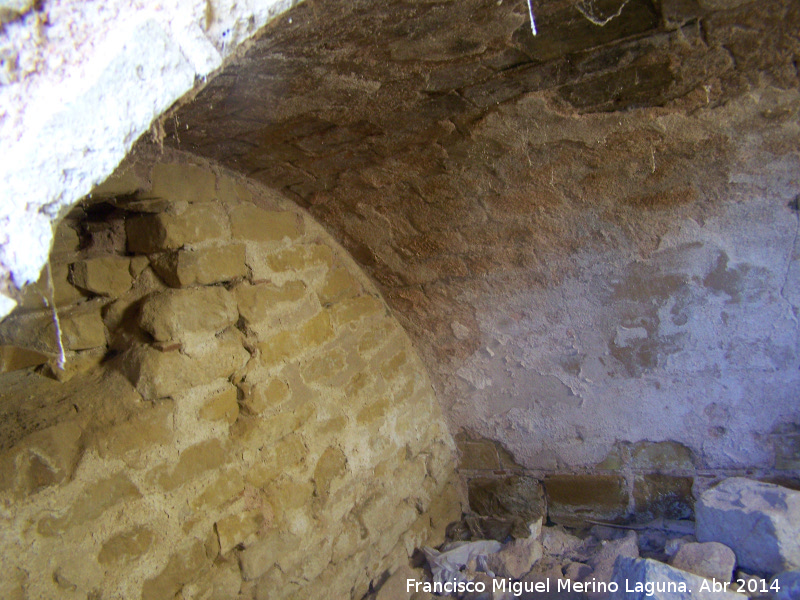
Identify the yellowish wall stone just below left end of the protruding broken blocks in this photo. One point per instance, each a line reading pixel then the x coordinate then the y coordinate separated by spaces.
pixel 130 440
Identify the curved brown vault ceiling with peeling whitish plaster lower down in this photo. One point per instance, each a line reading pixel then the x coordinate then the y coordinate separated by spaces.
pixel 585 232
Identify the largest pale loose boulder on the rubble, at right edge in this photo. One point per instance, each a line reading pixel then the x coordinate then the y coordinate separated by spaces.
pixel 758 521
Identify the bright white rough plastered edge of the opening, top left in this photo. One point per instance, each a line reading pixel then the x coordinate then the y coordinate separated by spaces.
pixel 92 77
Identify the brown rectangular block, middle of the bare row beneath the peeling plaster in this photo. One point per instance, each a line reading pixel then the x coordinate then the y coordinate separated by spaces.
pixel 573 498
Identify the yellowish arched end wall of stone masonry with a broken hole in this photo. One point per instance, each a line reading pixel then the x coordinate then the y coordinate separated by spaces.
pixel 238 416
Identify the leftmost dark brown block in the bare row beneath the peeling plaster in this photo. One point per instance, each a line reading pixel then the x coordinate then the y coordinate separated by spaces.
pixel 514 496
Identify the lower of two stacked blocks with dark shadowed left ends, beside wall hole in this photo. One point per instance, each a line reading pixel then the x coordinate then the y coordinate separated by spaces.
pixel 205 266
